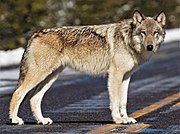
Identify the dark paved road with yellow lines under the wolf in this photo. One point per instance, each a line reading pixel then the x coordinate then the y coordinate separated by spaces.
pixel 79 103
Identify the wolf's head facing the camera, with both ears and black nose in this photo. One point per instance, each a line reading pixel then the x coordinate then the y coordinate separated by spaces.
pixel 148 31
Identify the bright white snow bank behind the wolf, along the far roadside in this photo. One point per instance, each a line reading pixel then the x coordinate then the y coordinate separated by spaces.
pixel 8 58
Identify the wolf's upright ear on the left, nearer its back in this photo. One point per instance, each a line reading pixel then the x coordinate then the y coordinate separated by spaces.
pixel 137 17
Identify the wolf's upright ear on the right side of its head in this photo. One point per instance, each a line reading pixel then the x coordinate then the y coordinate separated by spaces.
pixel 161 18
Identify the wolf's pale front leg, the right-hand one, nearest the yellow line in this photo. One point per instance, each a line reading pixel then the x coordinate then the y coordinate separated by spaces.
pixel 123 102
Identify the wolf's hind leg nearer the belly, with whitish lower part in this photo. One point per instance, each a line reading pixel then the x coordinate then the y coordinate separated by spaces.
pixel 37 97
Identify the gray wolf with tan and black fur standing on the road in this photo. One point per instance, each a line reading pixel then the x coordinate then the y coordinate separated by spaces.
pixel 114 49
